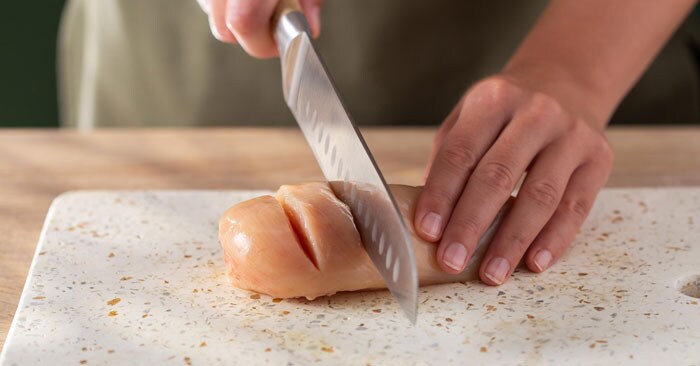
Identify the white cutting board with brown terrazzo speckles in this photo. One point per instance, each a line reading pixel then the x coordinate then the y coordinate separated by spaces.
pixel 614 297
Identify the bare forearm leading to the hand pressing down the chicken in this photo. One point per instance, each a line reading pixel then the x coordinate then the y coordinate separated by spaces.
pixel 595 49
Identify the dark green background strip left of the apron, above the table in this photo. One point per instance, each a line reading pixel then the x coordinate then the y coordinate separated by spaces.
pixel 28 95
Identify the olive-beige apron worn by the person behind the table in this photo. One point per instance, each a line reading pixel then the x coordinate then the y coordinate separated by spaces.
pixel 155 63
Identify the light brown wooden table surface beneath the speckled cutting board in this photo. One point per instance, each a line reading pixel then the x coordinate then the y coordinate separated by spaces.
pixel 37 165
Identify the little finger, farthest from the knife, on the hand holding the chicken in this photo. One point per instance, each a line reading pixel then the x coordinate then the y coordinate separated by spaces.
pixel 570 214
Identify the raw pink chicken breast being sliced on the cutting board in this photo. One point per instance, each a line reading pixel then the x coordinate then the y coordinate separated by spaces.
pixel 303 243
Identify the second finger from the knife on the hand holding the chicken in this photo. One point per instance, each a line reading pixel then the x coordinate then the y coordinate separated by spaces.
pixel 533 128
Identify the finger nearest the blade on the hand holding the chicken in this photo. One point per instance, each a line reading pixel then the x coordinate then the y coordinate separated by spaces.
pixel 478 124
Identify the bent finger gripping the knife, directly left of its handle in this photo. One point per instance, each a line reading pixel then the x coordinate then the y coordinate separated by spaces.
pixel 249 21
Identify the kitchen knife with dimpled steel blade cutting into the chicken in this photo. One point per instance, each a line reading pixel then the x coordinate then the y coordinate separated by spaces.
pixel 343 155
